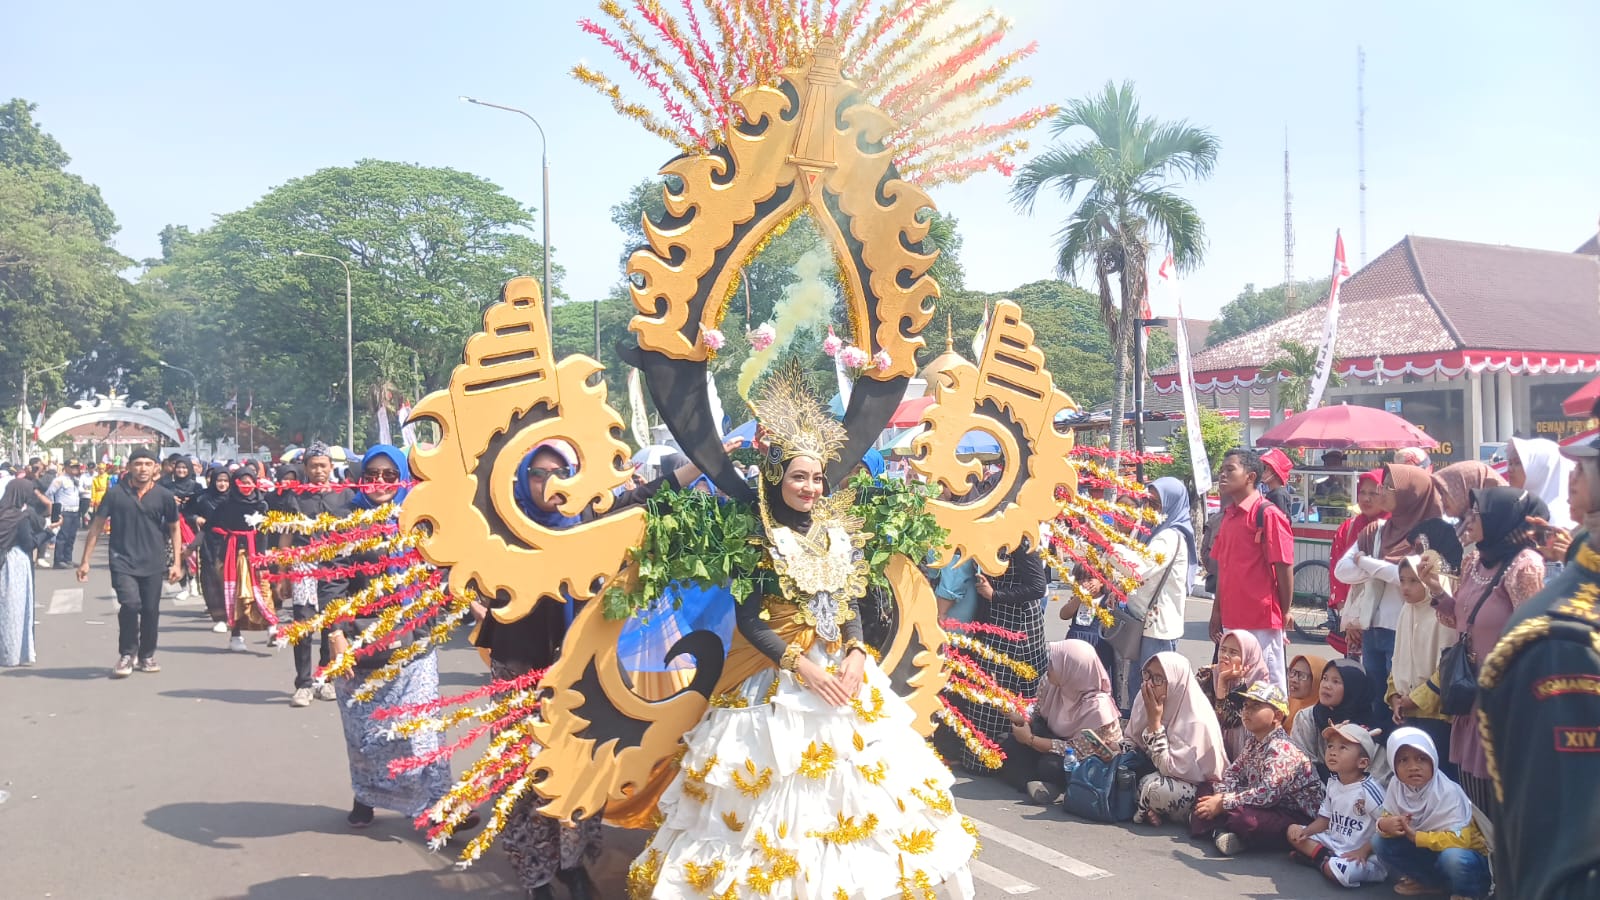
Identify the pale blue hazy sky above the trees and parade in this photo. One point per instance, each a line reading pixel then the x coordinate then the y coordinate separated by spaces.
pixel 1481 118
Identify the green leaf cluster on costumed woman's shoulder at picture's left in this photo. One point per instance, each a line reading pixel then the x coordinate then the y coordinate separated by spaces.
pixel 692 539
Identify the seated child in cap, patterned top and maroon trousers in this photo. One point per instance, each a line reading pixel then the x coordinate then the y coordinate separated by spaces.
pixel 1270 787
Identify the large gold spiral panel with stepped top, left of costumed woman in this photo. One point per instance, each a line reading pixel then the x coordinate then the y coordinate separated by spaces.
pixel 508 398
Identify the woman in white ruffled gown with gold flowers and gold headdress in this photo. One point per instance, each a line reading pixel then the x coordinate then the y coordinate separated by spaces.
pixel 806 777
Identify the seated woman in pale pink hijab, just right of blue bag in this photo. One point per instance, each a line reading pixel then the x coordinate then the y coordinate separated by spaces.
pixel 1174 723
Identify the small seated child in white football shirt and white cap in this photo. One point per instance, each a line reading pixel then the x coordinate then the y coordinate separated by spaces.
pixel 1340 842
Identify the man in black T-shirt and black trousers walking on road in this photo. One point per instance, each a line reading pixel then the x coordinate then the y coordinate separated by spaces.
pixel 145 547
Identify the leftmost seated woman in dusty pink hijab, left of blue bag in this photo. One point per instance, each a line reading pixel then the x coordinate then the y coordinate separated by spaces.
pixel 1074 710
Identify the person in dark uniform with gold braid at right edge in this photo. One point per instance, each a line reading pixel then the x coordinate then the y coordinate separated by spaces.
pixel 1540 717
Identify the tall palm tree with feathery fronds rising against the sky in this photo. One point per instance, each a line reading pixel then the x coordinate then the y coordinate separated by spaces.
pixel 1126 167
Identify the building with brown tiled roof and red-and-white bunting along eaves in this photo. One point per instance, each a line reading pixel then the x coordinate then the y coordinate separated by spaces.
pixel 1473 342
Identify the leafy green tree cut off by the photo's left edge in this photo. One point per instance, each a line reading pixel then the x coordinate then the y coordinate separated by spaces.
pixel 60 284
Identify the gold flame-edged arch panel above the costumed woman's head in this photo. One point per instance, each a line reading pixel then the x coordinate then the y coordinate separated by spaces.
pixel 790 156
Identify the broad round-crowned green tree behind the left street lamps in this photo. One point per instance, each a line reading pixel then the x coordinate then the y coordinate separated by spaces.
pixel 428 249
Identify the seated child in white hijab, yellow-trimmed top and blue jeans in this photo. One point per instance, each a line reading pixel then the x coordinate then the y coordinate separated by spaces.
pixel 1426 832
